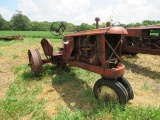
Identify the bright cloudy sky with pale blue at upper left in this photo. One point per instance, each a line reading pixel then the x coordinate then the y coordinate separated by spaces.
pixel 83 11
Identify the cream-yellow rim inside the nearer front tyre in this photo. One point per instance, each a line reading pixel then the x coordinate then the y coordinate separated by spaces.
pixel 107 94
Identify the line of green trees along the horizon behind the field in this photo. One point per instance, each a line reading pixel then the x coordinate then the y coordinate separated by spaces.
pixel 20 22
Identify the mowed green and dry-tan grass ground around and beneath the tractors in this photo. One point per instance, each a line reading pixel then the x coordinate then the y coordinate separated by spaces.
pixel 66 94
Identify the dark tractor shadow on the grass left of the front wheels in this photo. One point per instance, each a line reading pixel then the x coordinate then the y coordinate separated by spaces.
pixel 75 92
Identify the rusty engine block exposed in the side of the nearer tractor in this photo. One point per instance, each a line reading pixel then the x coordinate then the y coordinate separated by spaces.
pixel 85 50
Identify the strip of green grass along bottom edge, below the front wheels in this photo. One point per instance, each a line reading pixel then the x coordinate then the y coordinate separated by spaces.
pixel 111 112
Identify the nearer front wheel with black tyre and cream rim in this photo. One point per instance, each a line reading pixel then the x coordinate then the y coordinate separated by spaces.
pixel 110 90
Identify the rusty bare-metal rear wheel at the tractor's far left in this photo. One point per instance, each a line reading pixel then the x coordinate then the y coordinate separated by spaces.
pixel 35 61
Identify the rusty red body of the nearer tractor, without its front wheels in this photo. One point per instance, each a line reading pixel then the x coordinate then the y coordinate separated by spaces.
pixel 96 50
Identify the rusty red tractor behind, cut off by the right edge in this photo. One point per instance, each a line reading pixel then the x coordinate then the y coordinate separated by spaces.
pixel 143 39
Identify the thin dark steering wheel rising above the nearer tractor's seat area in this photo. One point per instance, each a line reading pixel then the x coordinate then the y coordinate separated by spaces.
pixel 57 28
